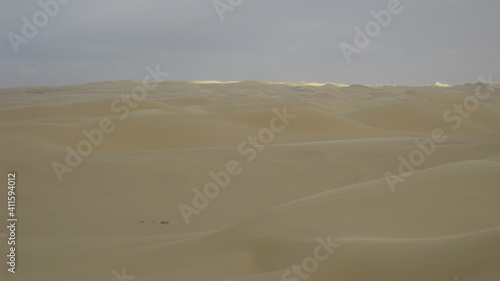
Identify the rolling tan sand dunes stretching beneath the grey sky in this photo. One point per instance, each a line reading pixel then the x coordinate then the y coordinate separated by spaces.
pixel 311 185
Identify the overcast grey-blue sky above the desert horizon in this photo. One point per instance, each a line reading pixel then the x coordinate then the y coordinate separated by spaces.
pixel 451 41
